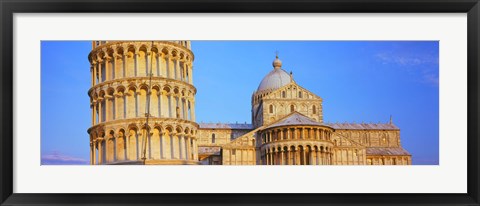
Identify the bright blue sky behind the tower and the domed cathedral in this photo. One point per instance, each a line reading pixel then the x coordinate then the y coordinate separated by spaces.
pixel 364 81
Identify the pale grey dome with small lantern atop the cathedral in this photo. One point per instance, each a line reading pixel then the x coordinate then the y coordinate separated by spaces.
pixel 275 79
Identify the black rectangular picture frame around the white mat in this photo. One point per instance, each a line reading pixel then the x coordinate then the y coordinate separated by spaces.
pixel 10 7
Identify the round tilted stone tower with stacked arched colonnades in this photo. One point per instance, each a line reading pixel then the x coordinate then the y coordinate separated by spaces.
pixel 133 80
